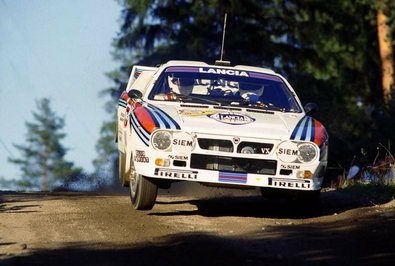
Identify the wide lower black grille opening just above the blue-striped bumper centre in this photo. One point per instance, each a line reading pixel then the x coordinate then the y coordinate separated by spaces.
pixel 224 163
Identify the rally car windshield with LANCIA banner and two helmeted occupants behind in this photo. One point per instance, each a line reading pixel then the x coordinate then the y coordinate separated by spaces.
pixel 224 87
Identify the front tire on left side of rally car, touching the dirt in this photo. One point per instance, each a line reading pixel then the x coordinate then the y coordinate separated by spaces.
pixel 143 192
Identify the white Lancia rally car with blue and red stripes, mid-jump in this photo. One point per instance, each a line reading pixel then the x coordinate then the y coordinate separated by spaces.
pixel 218 125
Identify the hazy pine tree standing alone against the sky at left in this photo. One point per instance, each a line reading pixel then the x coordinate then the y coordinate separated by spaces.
pixel 42 162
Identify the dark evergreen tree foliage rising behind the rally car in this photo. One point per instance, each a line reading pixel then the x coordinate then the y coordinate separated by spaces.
pixel 327 49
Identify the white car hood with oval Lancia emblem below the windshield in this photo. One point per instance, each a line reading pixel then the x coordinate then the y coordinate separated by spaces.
pixel 243 123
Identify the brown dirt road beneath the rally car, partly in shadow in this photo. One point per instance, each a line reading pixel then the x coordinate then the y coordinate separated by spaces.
pixel 219 228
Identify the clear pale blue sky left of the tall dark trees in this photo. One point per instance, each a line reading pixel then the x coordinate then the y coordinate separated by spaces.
pixel 60 50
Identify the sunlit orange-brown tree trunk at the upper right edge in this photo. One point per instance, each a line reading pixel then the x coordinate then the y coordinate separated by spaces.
pixel 386 55
